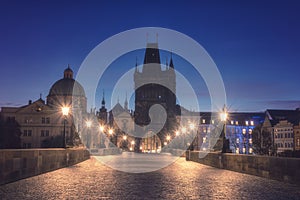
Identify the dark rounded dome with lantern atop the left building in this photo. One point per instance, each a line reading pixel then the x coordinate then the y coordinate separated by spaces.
pixel 67 86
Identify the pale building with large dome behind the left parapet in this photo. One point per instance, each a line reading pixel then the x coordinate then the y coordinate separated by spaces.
pixel 42 123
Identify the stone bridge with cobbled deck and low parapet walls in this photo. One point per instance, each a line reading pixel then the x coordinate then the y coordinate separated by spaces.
pixel 79 176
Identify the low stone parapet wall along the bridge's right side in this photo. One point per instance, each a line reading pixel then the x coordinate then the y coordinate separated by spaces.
pixel 277 168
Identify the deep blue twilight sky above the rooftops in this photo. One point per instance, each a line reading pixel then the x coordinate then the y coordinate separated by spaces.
pixel 255 44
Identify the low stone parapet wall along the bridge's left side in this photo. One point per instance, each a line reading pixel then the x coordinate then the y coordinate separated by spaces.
pixel 17 164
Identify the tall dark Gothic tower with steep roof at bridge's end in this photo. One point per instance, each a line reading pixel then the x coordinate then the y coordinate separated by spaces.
pixel 153 85
